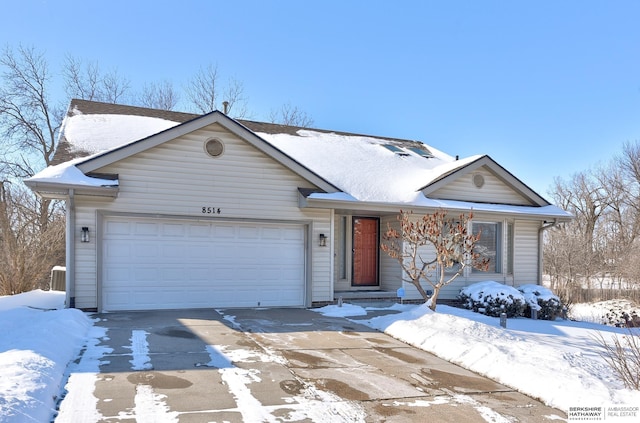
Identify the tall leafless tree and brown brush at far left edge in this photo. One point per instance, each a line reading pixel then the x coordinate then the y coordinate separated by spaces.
pixel 29 227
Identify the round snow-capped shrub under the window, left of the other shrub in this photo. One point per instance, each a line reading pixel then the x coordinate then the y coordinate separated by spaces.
pixel 492 298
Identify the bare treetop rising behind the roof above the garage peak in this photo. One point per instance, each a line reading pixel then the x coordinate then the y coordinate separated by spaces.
pixel 206 93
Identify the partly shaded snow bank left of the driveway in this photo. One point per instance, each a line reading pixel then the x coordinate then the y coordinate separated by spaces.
pixel 38 339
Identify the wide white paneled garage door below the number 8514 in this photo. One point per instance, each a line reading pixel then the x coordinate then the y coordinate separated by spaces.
pixel 168 264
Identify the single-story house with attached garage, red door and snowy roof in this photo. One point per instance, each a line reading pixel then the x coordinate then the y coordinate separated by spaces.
pixel 169 210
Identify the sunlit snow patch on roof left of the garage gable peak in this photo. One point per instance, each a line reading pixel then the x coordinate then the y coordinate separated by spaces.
pixel 93 133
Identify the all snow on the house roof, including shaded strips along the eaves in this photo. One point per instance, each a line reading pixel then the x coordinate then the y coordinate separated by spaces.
pixel 364 167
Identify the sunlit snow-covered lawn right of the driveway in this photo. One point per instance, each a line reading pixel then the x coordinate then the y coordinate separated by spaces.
pixel 558 361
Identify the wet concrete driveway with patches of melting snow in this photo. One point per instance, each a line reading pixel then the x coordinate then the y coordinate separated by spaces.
pixel 277 365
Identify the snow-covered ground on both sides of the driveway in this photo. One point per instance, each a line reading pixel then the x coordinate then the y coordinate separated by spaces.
pixel 557 362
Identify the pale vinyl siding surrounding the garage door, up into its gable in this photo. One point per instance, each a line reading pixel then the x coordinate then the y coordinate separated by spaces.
pixel 178 178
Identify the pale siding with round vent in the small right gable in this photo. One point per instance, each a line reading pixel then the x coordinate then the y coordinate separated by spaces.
pixel 494 190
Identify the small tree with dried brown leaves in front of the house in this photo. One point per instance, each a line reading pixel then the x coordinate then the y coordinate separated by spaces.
pixel 449 248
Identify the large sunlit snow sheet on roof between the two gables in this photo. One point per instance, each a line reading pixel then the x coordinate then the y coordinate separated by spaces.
pixel 362 166
